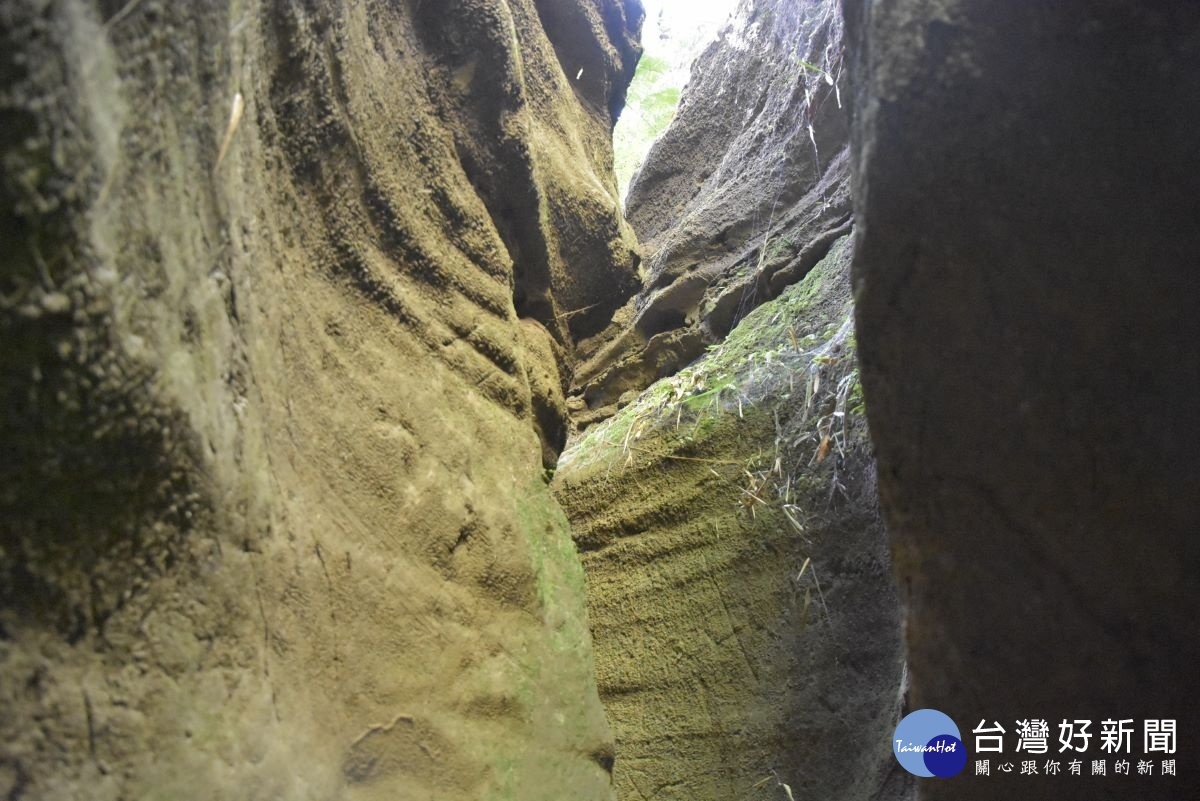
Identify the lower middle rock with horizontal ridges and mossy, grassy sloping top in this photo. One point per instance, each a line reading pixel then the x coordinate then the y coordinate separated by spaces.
pixel 746 624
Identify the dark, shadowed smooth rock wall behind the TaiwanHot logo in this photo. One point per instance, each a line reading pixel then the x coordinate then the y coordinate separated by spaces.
pixel 1027 286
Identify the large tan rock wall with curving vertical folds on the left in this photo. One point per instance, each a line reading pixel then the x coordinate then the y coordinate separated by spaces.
pixel 274 517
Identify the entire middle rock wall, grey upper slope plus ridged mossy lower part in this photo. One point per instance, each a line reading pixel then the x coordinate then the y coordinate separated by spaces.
pixel 746 625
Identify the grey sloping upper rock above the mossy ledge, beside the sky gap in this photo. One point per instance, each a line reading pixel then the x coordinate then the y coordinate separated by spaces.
pixel 740 198
